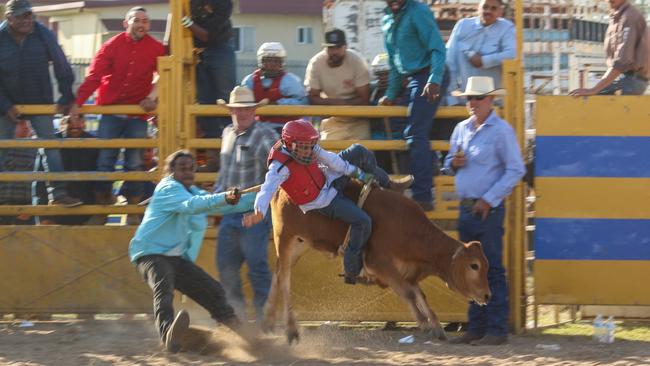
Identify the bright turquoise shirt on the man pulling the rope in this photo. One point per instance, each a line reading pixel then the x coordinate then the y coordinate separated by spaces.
pixel 174 222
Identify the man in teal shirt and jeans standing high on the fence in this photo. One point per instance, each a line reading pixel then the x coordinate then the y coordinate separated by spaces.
pixel 416 53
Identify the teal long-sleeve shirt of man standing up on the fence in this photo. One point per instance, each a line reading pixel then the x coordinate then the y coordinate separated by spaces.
pixel 413 43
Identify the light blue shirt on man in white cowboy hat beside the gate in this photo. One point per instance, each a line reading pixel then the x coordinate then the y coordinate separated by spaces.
pixel 493 163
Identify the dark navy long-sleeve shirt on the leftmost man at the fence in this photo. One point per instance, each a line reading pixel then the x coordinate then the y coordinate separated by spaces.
pixel 24 69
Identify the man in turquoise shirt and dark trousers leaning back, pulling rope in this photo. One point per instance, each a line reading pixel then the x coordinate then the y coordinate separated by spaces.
pixel 166 245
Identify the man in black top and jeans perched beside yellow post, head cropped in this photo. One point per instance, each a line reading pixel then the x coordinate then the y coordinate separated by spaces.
pixel 211 27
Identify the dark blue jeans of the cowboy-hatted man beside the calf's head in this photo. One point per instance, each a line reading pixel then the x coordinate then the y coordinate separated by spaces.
pixel 493 318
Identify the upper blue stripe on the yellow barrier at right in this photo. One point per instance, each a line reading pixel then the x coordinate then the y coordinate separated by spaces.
pixel 592 156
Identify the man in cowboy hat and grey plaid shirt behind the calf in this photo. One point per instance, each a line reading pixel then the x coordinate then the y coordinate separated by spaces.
pixel 245 146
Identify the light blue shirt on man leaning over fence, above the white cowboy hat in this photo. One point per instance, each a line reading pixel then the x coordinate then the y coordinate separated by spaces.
pixel 495 43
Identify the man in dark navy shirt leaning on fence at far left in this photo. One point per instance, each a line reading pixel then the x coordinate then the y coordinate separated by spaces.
pixel 26 49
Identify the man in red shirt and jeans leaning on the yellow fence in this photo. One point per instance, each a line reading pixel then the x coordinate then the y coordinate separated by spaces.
pixel 122 72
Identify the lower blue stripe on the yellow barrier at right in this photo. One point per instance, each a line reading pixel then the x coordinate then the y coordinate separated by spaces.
pixel 592 239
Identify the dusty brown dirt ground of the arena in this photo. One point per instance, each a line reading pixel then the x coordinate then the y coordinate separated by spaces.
pixel 134 342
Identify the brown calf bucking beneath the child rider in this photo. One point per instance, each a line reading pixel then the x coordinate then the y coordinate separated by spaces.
pixel 403 249
